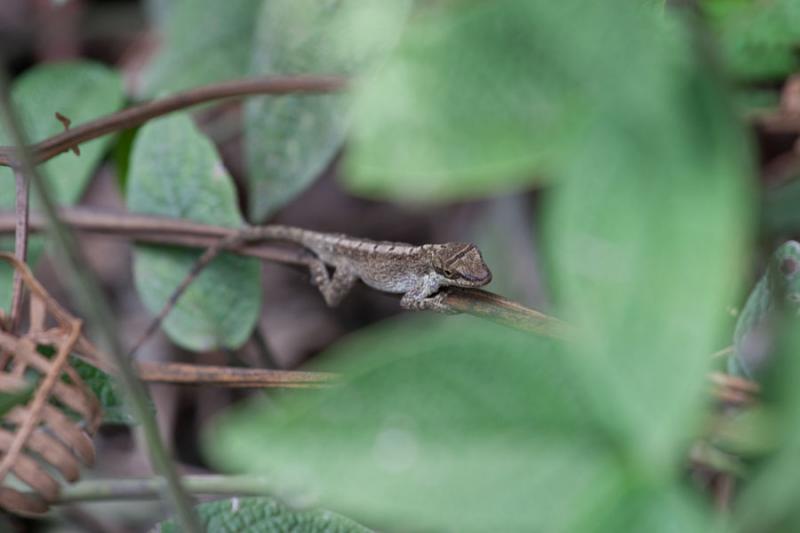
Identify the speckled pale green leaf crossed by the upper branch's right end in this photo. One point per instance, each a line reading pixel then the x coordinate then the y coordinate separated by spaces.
pixel 290 139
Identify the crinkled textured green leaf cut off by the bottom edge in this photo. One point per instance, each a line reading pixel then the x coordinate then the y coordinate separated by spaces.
pixel 264 515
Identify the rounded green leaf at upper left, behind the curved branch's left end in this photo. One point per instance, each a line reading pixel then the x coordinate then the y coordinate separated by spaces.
pixel 80 91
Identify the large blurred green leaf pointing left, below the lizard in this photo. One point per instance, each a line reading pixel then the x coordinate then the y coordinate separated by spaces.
pixel 463 427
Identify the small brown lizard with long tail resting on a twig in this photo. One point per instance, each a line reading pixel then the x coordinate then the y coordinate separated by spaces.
pixel 418 272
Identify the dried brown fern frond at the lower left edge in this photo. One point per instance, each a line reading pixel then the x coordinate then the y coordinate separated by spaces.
pixel 47 438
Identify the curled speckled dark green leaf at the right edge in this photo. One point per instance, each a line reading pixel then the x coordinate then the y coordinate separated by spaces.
pixel 778 290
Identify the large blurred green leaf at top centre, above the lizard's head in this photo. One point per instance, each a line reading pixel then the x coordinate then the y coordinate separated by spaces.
pixel 482 97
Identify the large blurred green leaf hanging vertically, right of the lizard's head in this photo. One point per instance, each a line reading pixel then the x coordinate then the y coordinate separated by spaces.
pixel 647 230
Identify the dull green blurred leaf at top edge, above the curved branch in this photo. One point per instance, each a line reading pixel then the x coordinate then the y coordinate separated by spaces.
pixel 205 41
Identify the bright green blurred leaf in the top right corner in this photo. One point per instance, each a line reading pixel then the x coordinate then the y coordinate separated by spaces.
pixel 759 38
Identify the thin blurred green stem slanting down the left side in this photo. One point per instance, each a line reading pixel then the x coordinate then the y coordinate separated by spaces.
pixel 93 302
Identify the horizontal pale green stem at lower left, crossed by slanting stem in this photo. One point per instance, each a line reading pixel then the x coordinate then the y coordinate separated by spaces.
pixel 95 490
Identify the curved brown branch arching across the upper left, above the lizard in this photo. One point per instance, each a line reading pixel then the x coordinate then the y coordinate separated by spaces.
pixel 136 115
